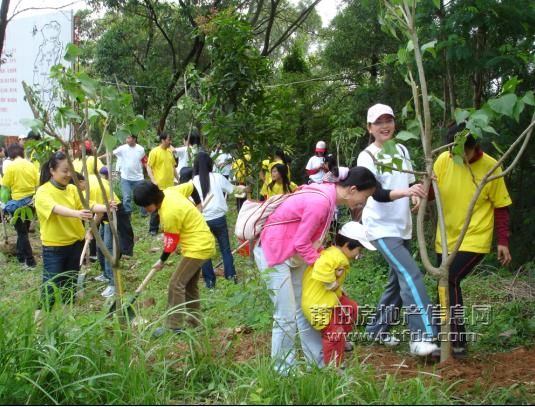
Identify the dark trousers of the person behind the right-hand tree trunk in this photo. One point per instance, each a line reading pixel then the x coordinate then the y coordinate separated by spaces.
pixel 463 264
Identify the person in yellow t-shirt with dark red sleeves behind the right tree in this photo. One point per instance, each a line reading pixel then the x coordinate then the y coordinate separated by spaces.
pixel 457 184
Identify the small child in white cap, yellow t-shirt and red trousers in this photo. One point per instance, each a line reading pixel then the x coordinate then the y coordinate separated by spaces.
pixel 323 301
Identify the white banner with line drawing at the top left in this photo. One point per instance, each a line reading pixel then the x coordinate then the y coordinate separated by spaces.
pixel 32 46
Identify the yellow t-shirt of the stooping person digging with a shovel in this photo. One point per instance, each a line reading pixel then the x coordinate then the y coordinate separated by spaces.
pixel 179 215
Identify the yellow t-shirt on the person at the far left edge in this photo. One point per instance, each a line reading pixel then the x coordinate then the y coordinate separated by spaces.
pixel 22 178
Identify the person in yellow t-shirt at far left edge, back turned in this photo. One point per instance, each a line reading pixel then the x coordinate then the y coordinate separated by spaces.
pixel 22 179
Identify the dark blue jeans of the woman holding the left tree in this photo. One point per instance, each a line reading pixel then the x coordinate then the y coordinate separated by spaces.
pixel 60 269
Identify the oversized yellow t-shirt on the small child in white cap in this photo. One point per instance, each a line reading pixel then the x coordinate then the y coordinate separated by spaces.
pixel 316 301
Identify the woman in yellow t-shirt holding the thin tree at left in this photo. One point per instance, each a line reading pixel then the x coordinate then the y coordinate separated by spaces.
pixel 60 212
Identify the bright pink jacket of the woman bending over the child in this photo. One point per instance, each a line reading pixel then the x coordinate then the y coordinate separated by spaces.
pixel 311 214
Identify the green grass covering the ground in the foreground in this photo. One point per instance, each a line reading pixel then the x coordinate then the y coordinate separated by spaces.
pixel 78 356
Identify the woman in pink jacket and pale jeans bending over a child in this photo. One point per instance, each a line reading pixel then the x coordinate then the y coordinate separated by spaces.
pixel 290 242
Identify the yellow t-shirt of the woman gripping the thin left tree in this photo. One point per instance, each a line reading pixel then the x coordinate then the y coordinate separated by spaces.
pixel 58 230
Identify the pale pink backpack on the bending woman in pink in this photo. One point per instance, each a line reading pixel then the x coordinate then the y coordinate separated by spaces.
pixel 254 214
